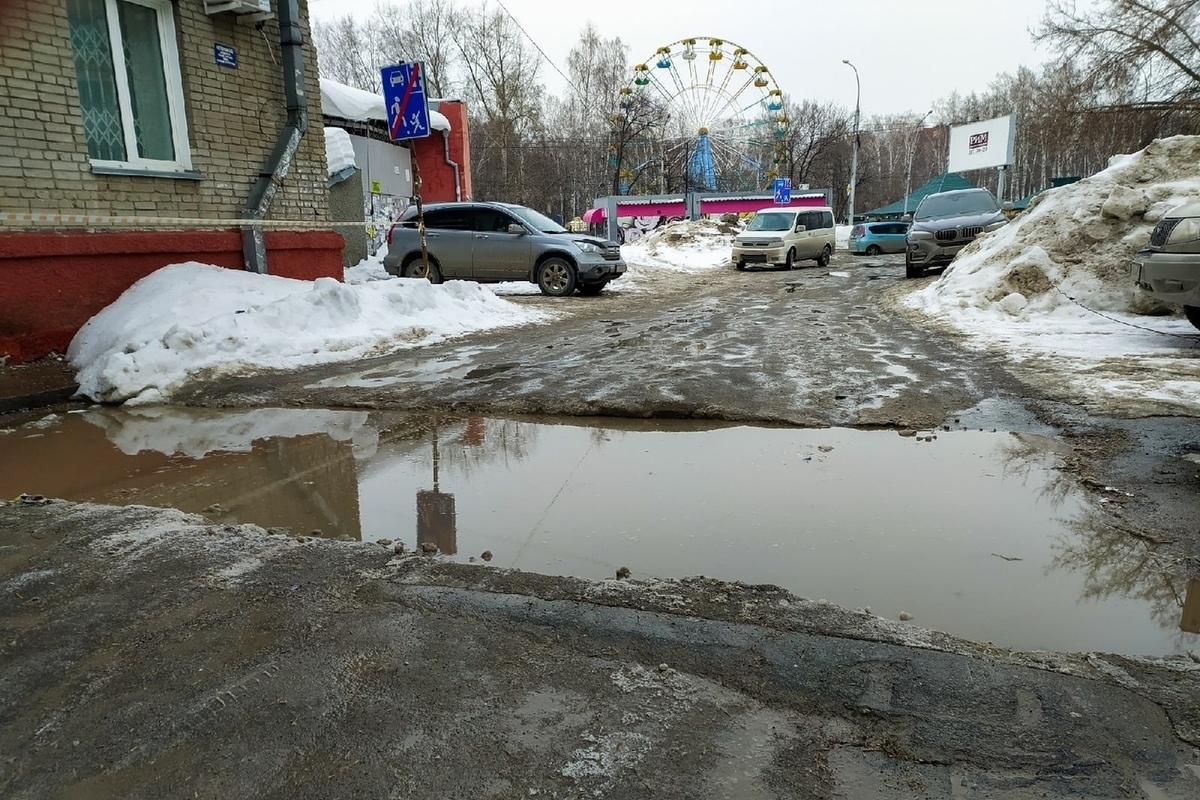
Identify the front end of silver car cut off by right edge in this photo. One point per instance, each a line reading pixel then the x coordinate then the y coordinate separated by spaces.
pixel 1169 268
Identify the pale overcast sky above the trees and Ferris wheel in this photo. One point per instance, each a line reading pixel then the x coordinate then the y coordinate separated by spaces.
pixel 909 53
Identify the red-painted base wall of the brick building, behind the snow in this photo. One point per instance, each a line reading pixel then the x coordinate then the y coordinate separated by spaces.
pixel 52 284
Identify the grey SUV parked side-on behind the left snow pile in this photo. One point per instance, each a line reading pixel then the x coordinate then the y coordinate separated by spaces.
pixel 490 243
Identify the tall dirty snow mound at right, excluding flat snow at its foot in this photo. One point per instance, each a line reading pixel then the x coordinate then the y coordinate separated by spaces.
pixel 1075 242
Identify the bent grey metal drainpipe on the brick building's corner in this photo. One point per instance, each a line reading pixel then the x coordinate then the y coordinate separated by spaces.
pixel 271 179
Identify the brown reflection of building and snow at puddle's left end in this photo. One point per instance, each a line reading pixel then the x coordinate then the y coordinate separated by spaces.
pixel 275 468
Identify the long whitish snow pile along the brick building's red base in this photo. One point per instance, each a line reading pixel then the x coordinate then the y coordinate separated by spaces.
pixel 191 318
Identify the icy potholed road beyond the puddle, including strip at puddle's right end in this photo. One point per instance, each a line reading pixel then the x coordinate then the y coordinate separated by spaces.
pixel 814 347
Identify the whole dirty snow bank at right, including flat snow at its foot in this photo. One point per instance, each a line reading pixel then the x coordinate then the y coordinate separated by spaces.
pixel 1011 292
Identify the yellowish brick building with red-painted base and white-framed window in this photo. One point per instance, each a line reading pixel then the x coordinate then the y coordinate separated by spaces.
pixel 117 115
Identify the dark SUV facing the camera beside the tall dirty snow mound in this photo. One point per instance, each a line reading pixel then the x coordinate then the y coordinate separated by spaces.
pixel 947 222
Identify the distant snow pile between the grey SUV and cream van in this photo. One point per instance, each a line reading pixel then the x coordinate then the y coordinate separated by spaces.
pixel 686 246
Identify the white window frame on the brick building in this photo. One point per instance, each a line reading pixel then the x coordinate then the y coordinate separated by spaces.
pixel 172 77
